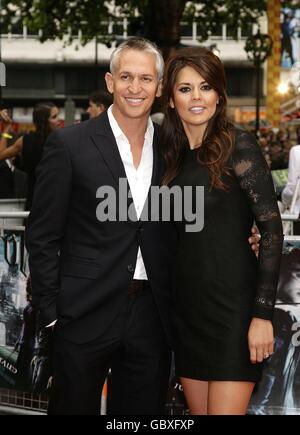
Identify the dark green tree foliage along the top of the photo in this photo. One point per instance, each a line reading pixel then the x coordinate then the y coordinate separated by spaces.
pixel 158 20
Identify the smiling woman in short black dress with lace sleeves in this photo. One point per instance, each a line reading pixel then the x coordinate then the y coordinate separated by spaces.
pixel 223 296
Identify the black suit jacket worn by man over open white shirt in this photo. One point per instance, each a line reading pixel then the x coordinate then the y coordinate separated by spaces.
pixel 80 267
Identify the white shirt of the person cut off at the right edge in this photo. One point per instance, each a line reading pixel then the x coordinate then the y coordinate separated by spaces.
pixel 293 175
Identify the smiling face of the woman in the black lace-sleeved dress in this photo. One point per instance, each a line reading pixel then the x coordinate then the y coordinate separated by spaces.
pixel 194 99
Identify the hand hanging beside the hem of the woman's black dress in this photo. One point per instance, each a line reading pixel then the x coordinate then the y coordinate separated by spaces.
pixel 260 340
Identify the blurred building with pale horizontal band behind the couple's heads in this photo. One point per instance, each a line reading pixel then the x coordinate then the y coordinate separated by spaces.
pixel 49 71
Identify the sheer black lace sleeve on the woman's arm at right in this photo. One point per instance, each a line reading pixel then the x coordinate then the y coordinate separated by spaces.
pixel 255 179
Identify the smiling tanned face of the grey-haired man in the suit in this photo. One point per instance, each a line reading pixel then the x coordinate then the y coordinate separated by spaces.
pixel 134 84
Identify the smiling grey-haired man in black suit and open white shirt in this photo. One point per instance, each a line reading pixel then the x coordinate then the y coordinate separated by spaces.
pixel 109 286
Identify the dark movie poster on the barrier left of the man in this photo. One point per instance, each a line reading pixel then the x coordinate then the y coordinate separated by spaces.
pixel 24 358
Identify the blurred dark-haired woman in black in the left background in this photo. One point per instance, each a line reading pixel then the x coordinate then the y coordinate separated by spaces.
pixel 28 149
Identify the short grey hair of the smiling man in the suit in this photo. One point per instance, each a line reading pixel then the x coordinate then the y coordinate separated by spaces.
pixel 140 44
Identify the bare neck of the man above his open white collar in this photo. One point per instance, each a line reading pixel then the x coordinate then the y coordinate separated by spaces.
pixel 133 128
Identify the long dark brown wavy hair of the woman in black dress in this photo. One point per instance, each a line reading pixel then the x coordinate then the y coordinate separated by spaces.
pixel 218 140
